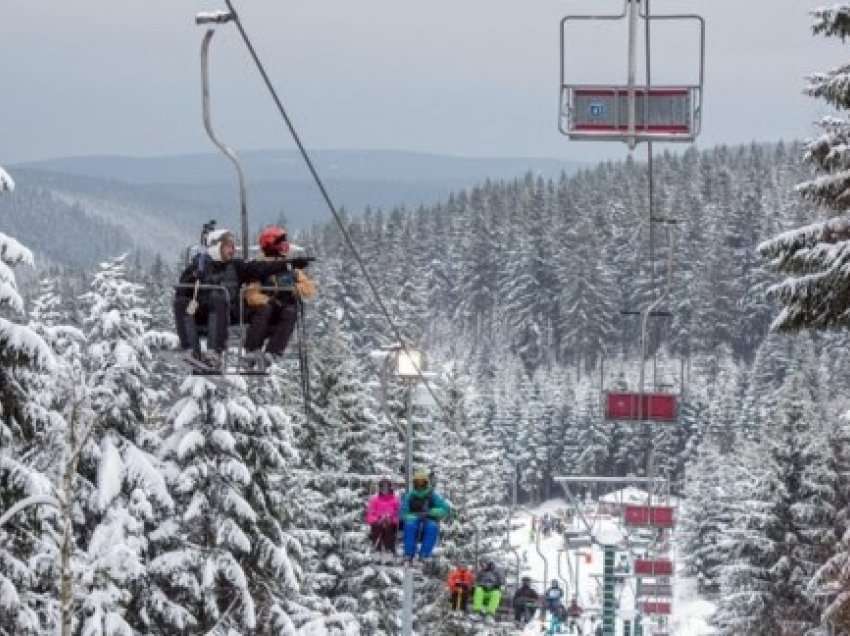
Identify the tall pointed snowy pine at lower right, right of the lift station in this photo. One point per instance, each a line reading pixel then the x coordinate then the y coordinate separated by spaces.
pixel 783 530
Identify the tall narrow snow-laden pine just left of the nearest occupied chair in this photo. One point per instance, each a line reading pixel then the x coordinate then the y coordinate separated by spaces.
pixel 127 497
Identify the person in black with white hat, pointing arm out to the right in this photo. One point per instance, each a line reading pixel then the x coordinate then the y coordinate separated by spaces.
pixel 214 265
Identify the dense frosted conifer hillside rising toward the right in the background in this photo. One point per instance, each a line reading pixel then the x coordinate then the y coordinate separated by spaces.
pixel 542 269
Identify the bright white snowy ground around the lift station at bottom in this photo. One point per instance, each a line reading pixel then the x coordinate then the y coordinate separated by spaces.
pixel 690 613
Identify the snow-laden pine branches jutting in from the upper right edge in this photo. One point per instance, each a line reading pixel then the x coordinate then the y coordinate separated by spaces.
pixel 815 291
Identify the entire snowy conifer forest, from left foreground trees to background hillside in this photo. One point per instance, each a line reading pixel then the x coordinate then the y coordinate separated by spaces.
pixel 187 503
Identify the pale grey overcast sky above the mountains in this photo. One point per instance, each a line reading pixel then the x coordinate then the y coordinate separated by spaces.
pixel 463 77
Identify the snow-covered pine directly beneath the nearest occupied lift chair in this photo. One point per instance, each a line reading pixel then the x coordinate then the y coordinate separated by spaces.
pixel 228 559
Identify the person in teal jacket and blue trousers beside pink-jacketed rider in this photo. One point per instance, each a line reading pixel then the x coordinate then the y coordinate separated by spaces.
pixel 421 510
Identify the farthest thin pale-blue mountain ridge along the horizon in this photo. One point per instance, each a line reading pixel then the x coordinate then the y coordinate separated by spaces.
pixel 262 165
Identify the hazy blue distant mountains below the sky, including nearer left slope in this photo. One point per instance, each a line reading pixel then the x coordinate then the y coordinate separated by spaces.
pixel 157 204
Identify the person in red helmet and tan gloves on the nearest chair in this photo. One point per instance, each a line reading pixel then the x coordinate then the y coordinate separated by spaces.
pixel 273 312
